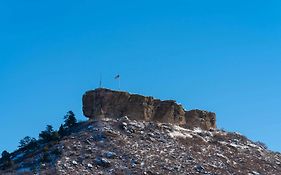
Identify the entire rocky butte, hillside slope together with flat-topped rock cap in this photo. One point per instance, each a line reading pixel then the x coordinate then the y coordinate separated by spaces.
pixel 149 141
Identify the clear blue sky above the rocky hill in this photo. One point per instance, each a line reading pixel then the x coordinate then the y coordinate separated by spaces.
pixel 222 56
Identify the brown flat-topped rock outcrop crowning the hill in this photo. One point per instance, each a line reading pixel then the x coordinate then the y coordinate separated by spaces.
pixel 105 103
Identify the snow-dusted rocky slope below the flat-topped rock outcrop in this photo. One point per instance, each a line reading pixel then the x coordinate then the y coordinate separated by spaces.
pixel 123 146
